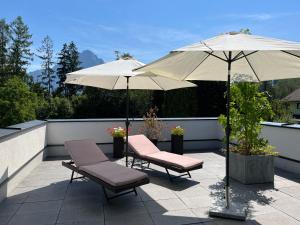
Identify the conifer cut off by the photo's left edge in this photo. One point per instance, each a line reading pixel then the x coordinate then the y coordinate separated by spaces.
pixel 4 41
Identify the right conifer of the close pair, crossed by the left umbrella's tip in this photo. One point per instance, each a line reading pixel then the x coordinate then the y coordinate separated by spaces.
pixel 73 65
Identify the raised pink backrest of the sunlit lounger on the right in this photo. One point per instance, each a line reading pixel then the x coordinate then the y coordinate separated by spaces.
pixel 141 145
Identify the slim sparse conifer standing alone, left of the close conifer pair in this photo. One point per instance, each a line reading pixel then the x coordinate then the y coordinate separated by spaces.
pixel 46 55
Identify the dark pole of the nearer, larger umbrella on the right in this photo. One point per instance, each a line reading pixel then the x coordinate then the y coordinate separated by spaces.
pixel 228 132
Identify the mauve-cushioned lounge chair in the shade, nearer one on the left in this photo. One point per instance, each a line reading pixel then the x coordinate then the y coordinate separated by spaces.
pixel 89 161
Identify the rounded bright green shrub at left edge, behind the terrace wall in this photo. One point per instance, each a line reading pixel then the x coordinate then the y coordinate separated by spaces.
pixel 17 103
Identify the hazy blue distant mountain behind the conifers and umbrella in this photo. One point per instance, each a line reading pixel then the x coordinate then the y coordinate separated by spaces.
pixel 86 57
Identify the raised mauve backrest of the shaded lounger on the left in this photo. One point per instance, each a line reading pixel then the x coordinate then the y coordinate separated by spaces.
pixel 85 152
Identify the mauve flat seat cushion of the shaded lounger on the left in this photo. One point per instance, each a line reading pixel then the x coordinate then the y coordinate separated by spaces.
pixel 114 174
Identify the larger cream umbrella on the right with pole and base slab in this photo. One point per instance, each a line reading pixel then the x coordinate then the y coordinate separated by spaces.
pixel 217 58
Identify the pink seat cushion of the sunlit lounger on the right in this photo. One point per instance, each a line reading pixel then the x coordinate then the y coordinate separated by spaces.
pixel 180 161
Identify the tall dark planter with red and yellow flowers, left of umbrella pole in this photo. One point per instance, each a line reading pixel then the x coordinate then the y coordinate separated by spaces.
pixel 118 134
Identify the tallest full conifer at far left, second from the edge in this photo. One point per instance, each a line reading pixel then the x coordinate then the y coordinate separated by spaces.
pixel 20 54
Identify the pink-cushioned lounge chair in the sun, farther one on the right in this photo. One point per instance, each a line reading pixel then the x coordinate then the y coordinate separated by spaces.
pixel 145 150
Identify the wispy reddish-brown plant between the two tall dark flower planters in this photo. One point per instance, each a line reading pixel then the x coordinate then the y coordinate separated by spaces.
pixel 152 126
